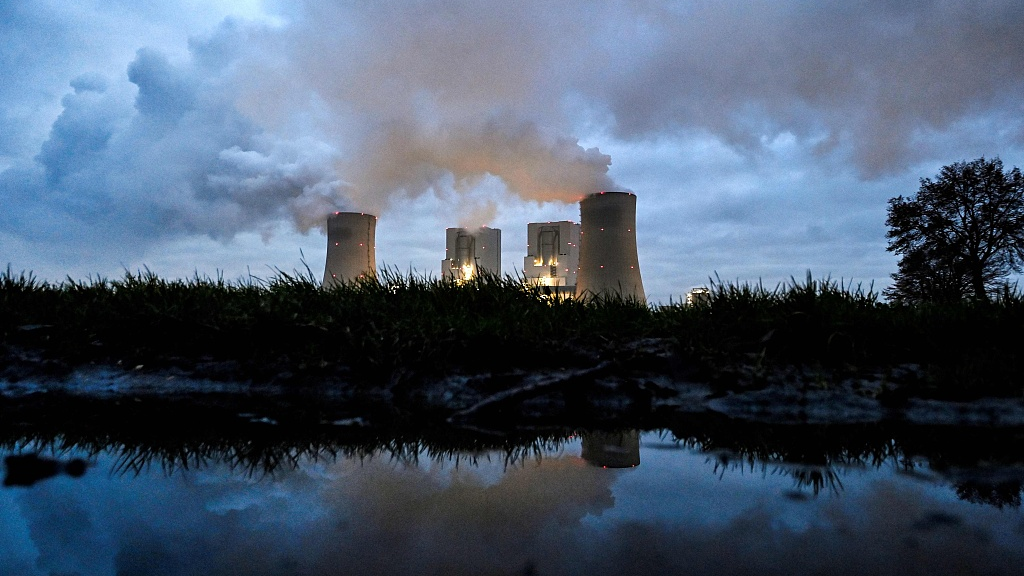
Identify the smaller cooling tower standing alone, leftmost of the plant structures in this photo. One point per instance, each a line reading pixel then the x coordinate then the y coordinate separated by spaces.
pixel 351 248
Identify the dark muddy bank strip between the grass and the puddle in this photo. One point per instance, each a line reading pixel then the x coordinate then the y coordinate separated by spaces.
pixel 647 390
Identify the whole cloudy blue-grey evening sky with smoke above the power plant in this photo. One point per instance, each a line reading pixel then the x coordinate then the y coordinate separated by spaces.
pixel 763 139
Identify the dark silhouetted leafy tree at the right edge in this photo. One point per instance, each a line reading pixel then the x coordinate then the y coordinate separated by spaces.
pixel 962 235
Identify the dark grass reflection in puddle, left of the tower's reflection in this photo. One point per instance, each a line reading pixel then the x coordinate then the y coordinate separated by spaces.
pixel 255 454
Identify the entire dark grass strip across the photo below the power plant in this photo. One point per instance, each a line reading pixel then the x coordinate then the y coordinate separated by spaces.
pixel 409 328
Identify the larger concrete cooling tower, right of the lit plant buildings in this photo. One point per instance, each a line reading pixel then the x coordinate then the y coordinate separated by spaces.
pixel 609 263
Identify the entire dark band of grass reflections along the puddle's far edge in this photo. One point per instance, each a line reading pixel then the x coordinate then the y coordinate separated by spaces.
pixel 816 458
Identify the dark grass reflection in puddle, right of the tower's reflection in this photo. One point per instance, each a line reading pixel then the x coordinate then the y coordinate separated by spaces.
pixel 985 466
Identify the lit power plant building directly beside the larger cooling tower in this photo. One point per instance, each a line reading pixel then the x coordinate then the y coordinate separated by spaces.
pixel 552 256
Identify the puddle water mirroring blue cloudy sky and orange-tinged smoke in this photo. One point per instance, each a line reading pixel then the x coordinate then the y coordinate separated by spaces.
pixel 601 504
